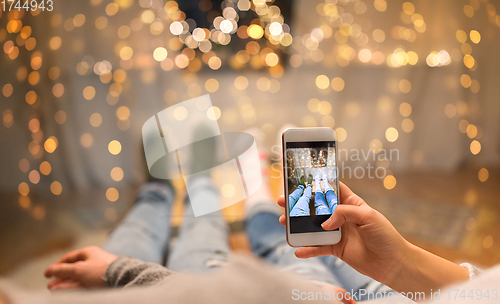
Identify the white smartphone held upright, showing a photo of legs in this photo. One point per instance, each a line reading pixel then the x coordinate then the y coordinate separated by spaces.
pixel 311 185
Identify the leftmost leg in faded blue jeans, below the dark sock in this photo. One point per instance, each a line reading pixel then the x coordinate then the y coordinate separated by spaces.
pixel 144 233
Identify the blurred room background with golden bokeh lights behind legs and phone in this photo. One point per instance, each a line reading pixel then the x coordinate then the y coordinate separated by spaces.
pixel 418 76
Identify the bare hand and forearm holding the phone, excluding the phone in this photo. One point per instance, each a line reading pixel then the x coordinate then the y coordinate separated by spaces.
pixel 371 245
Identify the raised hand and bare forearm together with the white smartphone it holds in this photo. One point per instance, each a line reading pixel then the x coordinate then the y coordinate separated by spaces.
pixel 368 242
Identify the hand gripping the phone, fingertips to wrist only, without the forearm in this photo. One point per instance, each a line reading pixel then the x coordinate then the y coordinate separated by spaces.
pixel 369 242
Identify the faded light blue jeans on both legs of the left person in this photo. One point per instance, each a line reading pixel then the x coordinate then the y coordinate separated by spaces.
pixel 145 233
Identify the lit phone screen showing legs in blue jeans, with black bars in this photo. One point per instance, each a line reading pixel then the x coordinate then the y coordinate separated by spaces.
pixel 312 184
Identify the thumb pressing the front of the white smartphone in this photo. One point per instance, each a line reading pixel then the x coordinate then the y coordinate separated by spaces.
pixel 347 213
